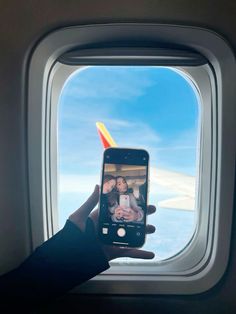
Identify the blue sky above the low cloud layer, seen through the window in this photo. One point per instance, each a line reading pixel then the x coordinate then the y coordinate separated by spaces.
pixel 149 107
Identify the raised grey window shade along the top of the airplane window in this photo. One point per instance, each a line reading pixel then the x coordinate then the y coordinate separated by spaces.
pixel 134 56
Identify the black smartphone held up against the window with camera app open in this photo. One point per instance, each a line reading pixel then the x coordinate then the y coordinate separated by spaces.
pixel 123 197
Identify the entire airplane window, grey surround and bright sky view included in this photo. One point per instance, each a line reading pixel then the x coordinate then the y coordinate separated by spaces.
pixel 166 88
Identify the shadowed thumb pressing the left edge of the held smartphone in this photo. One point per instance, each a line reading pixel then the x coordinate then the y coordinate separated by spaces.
pixel 80 216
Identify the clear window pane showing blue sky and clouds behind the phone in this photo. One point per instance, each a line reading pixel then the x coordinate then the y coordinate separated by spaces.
pixel 155 108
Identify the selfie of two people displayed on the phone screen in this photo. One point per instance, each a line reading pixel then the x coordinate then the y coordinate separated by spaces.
pixel 123 192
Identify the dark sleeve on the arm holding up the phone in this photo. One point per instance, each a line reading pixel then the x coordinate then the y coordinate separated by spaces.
pixel 66 260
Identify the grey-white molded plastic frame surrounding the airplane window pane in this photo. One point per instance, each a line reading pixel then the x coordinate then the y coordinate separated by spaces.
pixel 209 250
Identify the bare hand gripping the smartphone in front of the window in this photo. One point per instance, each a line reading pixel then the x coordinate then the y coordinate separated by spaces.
pixel 79 218
